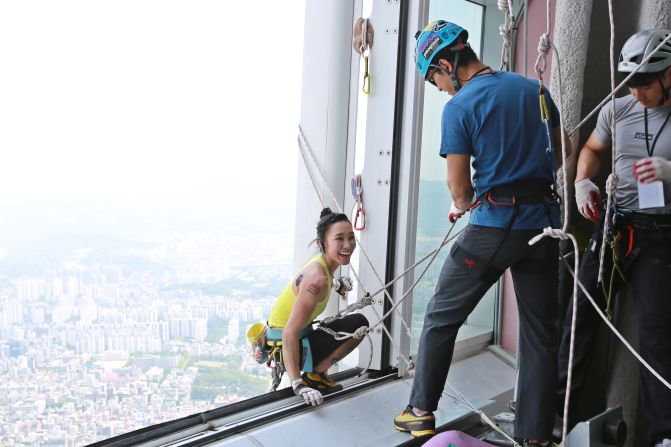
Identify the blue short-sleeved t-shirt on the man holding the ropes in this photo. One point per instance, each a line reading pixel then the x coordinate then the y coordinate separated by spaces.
pixel 495 119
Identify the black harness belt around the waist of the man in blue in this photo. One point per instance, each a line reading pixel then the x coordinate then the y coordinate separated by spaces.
pixel 523 192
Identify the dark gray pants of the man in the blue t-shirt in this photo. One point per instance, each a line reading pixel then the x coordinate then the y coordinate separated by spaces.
pixel 463 281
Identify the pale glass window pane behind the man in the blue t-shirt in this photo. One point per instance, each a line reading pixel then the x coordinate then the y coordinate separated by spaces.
pixel 434 196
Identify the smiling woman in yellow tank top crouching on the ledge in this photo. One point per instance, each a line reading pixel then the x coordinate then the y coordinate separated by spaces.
pixel 304 298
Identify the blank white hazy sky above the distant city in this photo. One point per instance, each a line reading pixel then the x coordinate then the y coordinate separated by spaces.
pixel 125 99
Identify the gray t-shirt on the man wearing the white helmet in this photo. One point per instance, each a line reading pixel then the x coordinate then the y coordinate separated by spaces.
pixel 630 134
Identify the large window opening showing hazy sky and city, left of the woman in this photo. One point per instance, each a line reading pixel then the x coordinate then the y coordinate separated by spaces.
pixel 147 195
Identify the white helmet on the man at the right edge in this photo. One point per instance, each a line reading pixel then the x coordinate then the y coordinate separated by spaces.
pixel 640 45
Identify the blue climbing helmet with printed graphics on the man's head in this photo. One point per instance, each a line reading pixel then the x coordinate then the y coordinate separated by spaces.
pixel 433 38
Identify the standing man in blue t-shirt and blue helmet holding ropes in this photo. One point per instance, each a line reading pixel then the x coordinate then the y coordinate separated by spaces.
pixel 493 125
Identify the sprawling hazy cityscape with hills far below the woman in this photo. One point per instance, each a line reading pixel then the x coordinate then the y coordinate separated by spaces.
pixel 108 331
